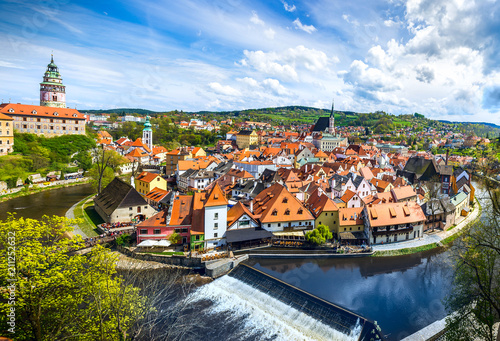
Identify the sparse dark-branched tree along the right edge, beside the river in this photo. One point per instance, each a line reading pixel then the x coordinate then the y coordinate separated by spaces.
pixel 475 298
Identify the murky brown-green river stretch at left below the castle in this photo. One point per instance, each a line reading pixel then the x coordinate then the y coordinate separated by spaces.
pixel 51 202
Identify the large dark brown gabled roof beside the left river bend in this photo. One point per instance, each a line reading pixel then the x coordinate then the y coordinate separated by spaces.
pixel 118 194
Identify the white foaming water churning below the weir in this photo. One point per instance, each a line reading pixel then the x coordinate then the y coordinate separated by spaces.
pixel 264 314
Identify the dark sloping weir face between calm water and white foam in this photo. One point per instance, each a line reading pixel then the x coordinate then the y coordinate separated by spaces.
pixel 336 317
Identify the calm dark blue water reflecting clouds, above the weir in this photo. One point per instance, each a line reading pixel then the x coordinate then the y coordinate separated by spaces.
pixel 403 294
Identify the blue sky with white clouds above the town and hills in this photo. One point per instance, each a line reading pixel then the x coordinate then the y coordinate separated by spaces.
pixel 439 58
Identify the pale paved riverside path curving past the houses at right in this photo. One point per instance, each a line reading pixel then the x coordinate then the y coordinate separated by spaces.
pixel 430 238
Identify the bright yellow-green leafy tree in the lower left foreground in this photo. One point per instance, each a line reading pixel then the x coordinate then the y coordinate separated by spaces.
pixel 59 295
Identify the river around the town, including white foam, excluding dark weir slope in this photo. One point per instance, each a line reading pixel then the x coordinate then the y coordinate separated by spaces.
pixel 403 294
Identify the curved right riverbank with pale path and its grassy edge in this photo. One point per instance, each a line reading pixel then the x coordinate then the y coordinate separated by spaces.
pixel 429 241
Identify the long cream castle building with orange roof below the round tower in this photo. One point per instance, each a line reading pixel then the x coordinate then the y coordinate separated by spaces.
pixel 47 121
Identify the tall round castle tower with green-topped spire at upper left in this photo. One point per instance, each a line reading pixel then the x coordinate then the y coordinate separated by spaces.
pixel 52 90
